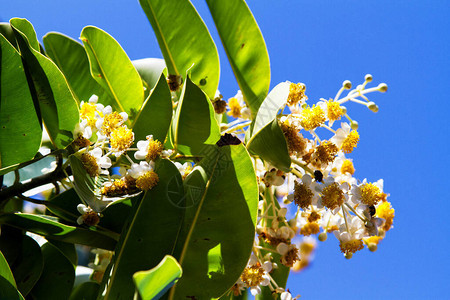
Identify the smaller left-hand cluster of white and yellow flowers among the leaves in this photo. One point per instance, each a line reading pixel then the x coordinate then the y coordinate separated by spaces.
pixel 101 138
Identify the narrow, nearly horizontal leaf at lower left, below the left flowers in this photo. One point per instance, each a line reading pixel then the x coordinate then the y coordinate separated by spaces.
pixel 49 227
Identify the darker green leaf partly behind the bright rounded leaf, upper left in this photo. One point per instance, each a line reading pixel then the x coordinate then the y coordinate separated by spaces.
pixel 72 60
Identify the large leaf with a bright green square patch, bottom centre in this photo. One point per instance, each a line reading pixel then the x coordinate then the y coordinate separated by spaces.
pixel 219 227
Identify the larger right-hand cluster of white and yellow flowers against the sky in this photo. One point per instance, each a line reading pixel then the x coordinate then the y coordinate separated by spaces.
pixel 319 195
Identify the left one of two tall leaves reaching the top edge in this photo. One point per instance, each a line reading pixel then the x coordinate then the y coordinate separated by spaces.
pixel 185 41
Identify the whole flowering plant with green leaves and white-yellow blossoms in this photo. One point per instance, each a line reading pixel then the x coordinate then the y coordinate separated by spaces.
pixel 218 196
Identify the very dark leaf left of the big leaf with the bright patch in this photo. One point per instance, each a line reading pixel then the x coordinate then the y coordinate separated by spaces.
pixel 152 230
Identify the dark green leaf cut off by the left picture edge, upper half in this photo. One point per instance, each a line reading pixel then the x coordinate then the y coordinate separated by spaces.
pixel 20 129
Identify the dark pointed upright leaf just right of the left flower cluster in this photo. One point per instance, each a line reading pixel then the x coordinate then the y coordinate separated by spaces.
pixel 156 114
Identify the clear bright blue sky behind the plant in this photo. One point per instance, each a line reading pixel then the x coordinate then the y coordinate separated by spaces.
pixel 321 43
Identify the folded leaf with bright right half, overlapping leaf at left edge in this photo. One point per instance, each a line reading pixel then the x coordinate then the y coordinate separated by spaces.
pixel 57 105
